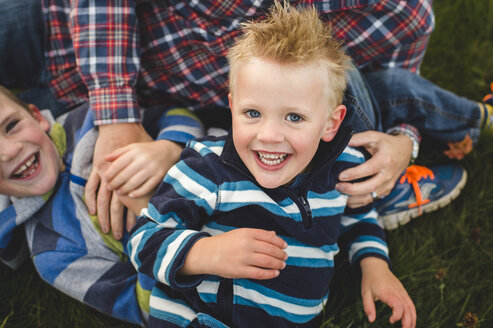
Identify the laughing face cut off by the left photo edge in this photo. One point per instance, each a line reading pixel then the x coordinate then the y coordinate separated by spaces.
pixel 29 161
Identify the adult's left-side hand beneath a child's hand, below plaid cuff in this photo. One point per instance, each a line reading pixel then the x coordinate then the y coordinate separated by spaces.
pixel 99 199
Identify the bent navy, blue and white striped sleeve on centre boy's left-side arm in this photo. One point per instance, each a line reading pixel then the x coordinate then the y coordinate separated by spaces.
pixel 170 225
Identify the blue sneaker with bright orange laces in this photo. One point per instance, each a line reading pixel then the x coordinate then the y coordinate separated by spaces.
pixel 420 190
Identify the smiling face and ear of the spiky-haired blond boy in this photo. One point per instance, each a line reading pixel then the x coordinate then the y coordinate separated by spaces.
pixel 280 113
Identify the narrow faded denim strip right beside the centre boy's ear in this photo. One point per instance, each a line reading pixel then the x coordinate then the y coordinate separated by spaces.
pixel 361 107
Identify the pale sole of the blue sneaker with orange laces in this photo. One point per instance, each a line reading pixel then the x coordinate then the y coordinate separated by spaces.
pixel 393 221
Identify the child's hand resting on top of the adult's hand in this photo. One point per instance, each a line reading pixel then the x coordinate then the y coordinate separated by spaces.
pixel 138 168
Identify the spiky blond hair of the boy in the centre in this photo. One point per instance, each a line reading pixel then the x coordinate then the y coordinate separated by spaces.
pixel 292 36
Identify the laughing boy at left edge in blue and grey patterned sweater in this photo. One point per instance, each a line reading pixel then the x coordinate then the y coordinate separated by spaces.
pixel 43 169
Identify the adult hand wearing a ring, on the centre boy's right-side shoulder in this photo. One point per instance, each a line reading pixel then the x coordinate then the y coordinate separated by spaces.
pixel 390 157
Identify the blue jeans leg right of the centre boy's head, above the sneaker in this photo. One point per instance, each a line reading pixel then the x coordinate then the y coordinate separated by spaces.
pixel 381 99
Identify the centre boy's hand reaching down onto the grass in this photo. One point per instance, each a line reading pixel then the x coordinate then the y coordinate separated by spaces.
pixel 379 284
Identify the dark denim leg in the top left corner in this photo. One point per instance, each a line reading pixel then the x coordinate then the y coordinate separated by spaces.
pixel 21 43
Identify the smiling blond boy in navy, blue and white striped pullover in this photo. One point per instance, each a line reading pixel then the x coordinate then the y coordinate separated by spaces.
pixel 244 229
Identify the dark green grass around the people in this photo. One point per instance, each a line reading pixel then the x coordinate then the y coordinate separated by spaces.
pixel 444 259
